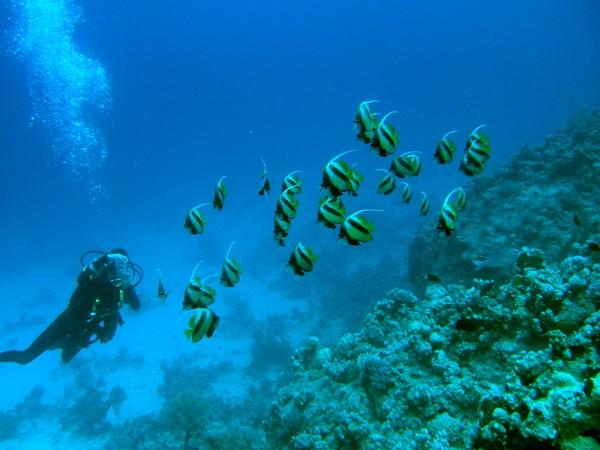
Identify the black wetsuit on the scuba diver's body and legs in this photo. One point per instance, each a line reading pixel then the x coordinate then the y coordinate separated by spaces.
pixel 93 310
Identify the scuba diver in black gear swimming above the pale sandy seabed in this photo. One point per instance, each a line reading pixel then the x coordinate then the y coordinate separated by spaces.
pixel 103 287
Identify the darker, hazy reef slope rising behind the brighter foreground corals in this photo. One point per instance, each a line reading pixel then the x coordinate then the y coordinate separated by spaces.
pixel 546 197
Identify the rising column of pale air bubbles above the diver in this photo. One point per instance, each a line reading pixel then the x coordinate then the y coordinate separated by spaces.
pixel 67 88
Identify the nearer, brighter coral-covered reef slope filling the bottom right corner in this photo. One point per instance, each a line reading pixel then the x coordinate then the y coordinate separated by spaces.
pixel 491 366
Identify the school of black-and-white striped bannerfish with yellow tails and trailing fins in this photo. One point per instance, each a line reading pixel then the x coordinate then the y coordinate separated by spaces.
pixel 339 178
